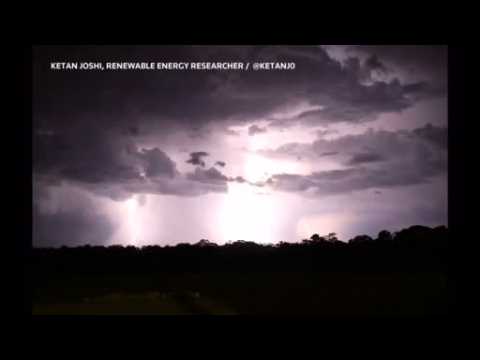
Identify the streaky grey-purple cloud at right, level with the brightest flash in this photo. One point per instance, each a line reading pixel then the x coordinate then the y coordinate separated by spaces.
pixel 394 159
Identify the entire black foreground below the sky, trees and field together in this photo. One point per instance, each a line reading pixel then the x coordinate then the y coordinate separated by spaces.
pixel 371 278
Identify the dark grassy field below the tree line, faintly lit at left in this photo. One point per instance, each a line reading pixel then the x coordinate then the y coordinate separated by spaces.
pixel 337 294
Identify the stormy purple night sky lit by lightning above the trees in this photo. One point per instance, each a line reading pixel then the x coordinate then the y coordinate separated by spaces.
pixel 352 141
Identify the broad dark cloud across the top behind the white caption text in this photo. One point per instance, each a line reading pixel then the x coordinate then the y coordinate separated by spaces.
pixel 118 97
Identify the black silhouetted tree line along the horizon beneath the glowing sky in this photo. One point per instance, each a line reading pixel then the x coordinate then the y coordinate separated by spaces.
pixel 416 247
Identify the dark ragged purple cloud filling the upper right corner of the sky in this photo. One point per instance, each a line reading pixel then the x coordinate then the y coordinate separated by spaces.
pixel 357 95
